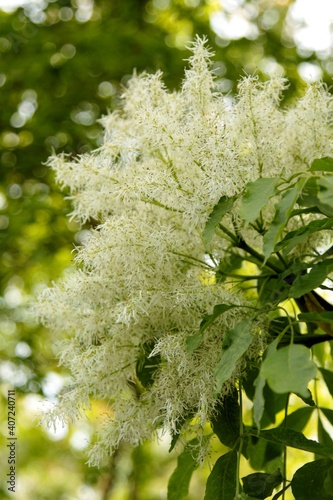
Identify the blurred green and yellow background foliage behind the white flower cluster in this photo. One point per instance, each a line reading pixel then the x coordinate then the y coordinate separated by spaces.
pixel 63 65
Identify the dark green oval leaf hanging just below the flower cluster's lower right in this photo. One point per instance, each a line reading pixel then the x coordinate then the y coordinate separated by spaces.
pixel 225 421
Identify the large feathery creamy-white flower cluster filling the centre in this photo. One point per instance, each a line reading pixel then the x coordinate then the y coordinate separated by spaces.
pixel 143 279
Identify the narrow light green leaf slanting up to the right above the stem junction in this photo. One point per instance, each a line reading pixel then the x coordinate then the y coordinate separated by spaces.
pixel 283 210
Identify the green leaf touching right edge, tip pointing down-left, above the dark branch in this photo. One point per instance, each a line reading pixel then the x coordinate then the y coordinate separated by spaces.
pixel 308 282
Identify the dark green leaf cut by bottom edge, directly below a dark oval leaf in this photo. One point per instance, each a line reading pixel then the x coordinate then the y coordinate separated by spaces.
pixel 221 483
